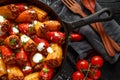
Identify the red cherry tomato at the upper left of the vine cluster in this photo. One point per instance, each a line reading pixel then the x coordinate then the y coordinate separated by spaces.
pixel 82 65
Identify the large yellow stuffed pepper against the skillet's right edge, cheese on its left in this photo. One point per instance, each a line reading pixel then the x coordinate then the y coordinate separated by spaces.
pixel 54 57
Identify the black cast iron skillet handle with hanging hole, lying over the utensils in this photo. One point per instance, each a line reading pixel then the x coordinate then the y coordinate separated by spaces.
pixel 96 17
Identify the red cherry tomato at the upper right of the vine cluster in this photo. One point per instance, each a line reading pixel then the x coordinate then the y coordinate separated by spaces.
pixel 97 61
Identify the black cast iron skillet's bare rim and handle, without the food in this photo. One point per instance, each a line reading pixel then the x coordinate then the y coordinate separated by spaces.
pixel 67 27
